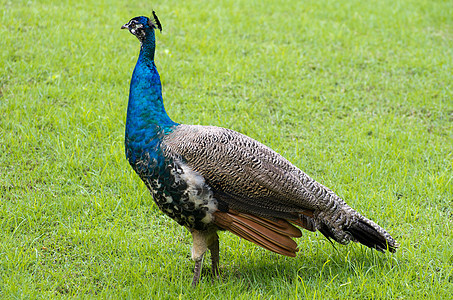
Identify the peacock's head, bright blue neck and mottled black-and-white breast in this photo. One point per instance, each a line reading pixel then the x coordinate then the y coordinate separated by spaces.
pixel 147 124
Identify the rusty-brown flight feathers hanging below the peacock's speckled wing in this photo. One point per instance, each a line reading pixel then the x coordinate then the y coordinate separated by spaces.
pixel 269 234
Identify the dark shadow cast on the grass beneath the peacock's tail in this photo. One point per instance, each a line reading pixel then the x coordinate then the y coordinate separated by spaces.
pixel 314 269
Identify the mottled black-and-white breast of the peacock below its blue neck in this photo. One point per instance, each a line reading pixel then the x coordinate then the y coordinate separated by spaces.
pixel 177 190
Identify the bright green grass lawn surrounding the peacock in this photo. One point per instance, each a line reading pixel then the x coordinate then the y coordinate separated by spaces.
pixel 357 94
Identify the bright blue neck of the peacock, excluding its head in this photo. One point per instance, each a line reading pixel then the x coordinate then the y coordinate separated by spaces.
pixel 145 112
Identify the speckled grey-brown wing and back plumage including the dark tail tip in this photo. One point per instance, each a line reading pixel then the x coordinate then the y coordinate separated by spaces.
pixel 249 177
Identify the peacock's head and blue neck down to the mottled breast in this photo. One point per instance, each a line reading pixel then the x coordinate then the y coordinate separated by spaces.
pixel 147 119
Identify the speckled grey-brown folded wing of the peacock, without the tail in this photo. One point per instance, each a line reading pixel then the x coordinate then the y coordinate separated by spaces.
pixel 246 175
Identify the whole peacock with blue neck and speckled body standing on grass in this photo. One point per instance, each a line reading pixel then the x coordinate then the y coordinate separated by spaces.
pixel 211 179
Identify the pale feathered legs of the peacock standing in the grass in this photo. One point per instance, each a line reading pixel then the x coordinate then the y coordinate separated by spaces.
pixel 202 240
